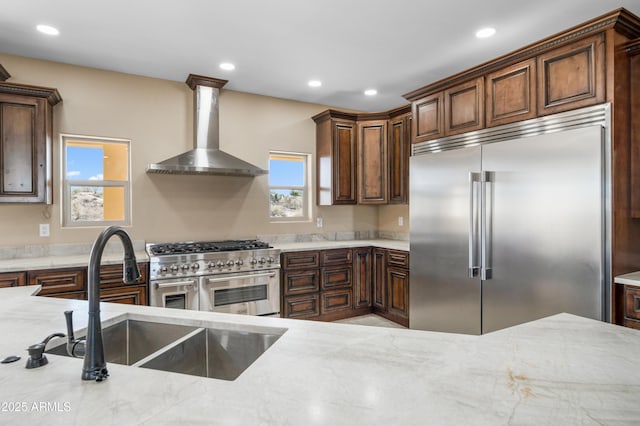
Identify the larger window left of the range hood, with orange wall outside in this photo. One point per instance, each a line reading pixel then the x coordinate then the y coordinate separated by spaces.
pixel 95 181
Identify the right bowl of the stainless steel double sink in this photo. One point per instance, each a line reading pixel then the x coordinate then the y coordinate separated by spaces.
pixel 214 353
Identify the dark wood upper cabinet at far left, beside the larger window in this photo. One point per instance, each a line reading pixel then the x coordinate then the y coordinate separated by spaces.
pixel 26 130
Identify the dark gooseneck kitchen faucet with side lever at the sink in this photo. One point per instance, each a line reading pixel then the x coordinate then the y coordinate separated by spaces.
pixel 95 367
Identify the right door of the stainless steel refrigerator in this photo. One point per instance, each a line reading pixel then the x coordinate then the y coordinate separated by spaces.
pixel 544 205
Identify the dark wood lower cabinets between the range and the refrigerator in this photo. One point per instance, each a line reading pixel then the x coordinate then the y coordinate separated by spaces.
pixel 347 283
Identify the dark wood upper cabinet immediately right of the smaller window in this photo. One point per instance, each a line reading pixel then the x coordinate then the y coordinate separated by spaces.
pixel 335 159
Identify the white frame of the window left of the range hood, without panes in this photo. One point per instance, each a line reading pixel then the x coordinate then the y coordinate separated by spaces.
pixel 67 184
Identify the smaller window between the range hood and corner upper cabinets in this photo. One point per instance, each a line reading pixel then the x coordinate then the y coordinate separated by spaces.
pixel 288 186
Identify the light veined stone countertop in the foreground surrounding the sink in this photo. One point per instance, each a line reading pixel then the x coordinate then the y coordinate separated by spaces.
pixel 561 370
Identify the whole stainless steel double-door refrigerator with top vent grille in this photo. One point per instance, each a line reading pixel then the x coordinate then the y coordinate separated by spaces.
pixel 511 224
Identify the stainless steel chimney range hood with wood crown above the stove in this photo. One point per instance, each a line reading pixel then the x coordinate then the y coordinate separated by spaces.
pixel 206 158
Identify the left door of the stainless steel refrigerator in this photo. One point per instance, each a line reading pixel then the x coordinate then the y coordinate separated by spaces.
pixel 442 296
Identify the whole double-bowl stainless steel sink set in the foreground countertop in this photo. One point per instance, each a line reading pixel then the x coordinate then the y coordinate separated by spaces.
pixel 212 350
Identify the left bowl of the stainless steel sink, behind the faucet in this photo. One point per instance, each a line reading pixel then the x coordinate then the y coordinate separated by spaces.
pixel 128 341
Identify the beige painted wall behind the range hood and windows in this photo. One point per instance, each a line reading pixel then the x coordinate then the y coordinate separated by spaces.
pixel 156 115
